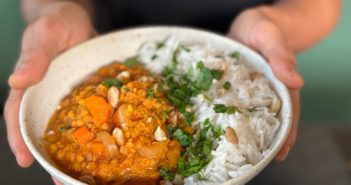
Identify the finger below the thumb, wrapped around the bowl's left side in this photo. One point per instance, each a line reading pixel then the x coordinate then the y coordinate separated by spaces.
pixel 17 145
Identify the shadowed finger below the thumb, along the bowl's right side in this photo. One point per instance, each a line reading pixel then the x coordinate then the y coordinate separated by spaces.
pixel 290 142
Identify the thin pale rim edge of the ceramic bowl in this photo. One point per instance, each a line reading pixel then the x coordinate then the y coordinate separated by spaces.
pixel 243 178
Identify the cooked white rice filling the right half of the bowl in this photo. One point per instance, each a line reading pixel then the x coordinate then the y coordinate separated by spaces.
pixel 255 130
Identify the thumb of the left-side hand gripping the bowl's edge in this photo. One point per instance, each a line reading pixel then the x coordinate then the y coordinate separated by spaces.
pixel 41 42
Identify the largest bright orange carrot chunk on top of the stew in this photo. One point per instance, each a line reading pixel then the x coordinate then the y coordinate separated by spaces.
pixel 99 108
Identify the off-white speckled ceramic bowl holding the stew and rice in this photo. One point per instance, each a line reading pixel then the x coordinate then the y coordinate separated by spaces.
pixel 70 68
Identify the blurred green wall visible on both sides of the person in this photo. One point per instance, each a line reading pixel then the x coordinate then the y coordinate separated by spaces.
pixel 326 68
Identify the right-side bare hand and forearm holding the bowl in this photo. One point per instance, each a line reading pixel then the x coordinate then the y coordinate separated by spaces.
pixel 280 31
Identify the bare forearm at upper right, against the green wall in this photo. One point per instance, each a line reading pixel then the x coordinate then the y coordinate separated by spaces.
pixel 303 22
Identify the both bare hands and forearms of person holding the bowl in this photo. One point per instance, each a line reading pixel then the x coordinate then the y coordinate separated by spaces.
pixel 277 32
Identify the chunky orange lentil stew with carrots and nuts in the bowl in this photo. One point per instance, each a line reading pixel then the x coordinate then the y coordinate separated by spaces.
pixel 112 129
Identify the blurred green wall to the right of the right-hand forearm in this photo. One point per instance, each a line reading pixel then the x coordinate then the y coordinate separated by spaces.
pixel 326 68
